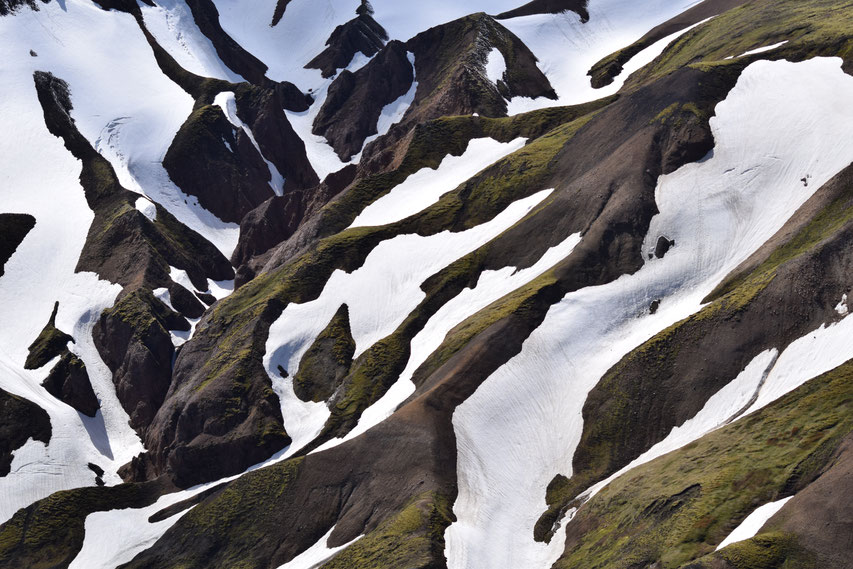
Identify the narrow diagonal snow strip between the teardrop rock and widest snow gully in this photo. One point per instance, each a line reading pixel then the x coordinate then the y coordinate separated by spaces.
pixel 491 286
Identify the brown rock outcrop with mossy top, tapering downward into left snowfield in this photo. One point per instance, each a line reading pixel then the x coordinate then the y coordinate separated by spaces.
pixel 134 341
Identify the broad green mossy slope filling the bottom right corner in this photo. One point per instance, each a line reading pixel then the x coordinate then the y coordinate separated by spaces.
pixel 677 508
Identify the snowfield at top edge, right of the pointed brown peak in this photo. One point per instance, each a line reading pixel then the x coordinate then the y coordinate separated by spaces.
pixel 567 49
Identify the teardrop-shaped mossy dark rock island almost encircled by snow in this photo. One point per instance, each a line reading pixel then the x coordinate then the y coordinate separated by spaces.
pixel 327 361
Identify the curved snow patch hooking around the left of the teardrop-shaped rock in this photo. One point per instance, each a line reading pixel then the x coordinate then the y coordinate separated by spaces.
pixel 380 294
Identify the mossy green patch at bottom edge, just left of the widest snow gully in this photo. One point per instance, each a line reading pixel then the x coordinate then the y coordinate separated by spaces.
pixel 414 538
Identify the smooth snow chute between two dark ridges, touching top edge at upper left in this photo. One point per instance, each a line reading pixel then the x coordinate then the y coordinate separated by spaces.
pixel 172 25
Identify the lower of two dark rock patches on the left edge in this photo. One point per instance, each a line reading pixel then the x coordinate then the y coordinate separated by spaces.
pixel 20 420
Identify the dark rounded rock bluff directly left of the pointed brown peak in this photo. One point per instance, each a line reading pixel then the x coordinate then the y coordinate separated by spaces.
pixel 356 100
